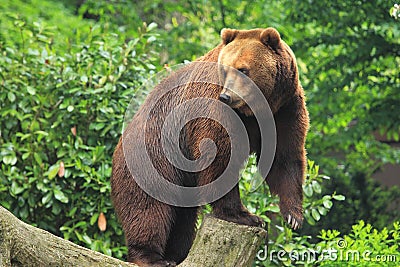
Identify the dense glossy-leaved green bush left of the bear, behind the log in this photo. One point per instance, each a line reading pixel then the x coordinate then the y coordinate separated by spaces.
pixel 62 112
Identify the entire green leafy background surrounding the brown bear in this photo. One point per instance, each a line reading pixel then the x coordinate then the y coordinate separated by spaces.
pixel 68 70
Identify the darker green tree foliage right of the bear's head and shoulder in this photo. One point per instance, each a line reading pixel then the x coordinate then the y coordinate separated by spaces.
pixel 350 73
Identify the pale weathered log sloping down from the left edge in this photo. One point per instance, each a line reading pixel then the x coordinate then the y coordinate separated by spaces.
pixel 24 245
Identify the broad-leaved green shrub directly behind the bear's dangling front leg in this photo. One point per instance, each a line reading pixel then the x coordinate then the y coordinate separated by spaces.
pixel 262 203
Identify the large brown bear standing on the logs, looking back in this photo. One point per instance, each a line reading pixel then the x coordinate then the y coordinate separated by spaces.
pixel 161 234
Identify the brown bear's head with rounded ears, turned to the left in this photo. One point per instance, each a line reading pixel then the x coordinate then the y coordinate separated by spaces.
pixel 266 59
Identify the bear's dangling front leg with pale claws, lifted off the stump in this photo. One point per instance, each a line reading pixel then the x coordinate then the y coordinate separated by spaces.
pixel 287 173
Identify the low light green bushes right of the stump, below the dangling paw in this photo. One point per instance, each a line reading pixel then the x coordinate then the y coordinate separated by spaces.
pixel 363 246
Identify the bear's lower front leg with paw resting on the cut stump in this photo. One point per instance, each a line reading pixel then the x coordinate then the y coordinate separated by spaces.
pixel 230 208
